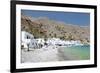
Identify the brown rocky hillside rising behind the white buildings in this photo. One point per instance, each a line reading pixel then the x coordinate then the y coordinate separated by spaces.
pixel 44 27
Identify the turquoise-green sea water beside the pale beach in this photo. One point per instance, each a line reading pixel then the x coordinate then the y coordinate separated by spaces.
pixel 81 52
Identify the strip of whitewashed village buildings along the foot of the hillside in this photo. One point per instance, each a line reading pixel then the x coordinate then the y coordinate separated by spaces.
pixel 28 41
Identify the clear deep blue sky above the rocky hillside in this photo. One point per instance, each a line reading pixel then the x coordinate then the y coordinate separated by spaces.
pixel 76 18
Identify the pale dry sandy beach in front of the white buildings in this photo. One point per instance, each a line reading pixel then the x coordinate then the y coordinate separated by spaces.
pixel 44 54
